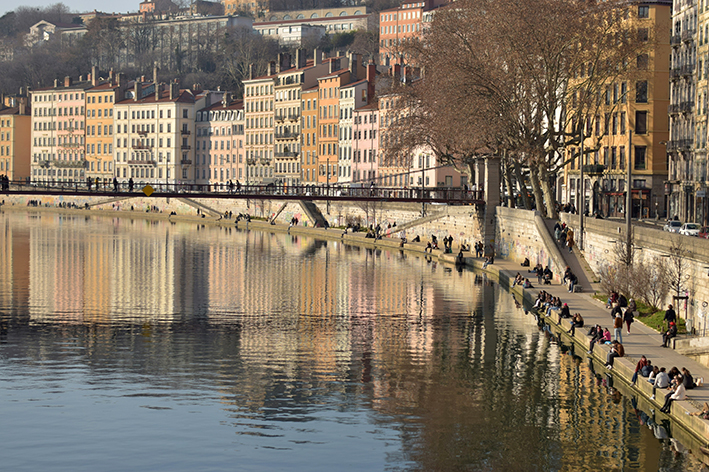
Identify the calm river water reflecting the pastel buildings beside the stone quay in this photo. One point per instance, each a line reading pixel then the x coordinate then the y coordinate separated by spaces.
pixel 136 345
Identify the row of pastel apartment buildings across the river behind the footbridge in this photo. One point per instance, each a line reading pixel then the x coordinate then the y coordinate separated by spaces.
pixel 306 122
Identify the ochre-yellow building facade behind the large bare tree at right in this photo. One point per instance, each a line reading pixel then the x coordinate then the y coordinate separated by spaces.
pixel 636 104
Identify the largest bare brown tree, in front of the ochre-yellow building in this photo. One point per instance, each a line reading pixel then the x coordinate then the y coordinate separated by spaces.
pixel 536 75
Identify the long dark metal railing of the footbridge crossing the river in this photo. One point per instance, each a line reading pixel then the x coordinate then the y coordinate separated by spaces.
pixel 343 192
